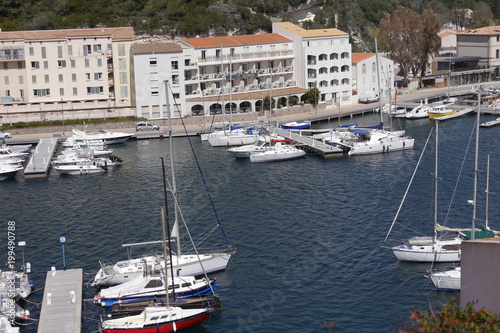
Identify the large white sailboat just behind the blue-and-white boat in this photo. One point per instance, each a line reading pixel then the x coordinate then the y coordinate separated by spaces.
pixel 184 264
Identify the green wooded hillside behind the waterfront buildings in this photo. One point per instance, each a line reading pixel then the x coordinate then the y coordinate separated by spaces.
pixel 189 18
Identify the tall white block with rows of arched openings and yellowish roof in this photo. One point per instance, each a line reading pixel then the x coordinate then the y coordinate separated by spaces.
pixel 323 60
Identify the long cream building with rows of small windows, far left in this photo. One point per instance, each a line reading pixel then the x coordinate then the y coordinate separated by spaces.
pixel 71 70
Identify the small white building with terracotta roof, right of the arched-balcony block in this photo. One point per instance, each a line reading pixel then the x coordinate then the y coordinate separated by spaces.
pixel 364 74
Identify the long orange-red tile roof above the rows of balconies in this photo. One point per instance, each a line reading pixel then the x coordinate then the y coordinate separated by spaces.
pixel 225 41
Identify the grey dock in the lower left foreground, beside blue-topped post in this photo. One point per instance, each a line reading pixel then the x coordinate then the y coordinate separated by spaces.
pixel 62 302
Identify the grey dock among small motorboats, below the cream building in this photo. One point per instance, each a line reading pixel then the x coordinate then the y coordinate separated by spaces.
pixel 39 164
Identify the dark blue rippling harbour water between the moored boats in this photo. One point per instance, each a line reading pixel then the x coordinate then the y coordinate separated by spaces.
pixel 307 232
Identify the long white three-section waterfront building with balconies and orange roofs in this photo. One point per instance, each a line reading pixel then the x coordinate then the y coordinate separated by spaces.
pixel 236 74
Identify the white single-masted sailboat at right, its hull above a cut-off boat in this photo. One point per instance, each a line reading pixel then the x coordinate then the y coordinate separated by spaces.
pixel 429 248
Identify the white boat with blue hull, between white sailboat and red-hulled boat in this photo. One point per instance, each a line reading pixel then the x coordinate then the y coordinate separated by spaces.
pixel 144 288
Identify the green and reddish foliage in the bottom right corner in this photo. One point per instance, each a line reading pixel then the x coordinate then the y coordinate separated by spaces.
pixel 453 319
